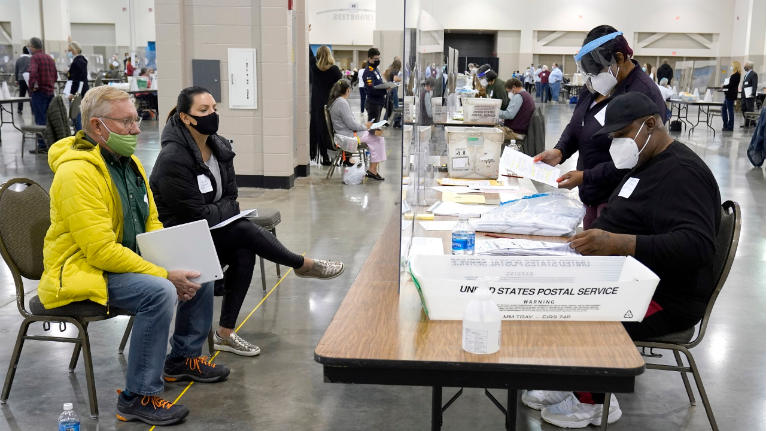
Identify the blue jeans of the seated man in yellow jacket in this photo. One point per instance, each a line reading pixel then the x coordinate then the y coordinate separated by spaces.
pixel 152 300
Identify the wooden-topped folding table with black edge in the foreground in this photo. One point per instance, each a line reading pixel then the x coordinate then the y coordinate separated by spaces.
pixel 380 335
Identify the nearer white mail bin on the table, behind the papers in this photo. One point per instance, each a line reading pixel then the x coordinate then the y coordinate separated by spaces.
pixel 474 152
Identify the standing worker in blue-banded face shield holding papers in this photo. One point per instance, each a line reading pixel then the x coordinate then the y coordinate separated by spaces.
pixel 605 60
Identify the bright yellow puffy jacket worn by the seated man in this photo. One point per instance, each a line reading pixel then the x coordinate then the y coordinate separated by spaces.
pixel 86 227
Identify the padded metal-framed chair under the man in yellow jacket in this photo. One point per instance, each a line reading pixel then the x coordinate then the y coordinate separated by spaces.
pixel 24 221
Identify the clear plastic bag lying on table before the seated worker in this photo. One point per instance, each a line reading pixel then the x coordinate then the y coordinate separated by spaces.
pixel 552 214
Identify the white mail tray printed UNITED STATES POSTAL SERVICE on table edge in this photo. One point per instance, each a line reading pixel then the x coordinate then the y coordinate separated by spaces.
pixel 580 288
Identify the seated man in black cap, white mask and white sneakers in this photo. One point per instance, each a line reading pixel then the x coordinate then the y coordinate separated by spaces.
pixel 665 213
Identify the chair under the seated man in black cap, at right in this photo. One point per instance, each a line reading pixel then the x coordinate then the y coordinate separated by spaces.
pixel 726 245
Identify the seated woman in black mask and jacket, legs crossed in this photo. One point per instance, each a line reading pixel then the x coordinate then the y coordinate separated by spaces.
pixel 193 179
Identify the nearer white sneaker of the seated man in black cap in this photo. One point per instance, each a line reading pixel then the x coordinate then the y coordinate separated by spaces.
pixel 571 413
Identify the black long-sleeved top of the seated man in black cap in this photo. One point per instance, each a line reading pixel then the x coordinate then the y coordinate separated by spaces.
pixel 674 211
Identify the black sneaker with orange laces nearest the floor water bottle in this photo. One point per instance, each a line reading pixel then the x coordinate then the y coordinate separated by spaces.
pixel 152 410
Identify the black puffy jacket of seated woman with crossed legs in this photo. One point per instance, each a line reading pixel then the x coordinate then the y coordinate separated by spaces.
pixel 174 179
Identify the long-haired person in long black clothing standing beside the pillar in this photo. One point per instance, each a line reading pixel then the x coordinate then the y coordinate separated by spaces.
pixel 324 75
